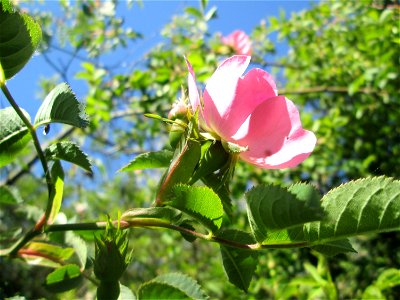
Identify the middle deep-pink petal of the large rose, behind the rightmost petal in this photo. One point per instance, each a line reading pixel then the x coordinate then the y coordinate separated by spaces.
pixel 250 91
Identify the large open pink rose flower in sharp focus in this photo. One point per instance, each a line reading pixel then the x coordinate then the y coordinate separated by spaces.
pixel 247 111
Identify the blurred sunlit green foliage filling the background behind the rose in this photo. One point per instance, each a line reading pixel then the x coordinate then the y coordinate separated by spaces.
pixel 341 70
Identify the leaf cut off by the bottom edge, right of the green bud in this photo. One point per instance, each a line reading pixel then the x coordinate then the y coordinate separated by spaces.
pixel 171 286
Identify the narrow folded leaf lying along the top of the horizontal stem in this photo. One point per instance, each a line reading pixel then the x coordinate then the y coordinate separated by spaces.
pixel 162 213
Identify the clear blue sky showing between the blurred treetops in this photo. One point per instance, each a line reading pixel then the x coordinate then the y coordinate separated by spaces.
pixel 148 19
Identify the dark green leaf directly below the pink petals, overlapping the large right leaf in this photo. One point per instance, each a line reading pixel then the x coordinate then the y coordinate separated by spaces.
pixel 273 208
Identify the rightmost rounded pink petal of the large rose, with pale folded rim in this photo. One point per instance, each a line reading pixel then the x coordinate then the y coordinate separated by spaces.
pixel 274 136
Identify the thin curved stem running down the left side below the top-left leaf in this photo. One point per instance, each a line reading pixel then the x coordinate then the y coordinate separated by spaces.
pixel 42 158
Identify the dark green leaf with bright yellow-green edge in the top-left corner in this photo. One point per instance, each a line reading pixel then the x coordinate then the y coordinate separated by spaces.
pixel 20 35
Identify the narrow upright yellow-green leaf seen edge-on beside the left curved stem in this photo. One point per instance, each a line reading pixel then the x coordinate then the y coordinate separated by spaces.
pixel 57 174
